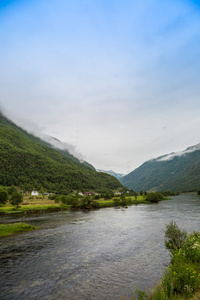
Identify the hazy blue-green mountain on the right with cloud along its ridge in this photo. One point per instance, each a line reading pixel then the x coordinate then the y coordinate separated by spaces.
pixel 175 172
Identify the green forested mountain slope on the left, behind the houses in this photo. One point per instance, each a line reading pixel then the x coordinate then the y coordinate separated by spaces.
pixel 31 163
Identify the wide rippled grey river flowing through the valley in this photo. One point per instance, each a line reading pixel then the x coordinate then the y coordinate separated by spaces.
pixel 100 254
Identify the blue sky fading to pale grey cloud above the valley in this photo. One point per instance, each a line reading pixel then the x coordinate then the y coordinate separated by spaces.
pixel 116 81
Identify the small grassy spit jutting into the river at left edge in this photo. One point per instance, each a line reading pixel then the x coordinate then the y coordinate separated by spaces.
pixel 9 229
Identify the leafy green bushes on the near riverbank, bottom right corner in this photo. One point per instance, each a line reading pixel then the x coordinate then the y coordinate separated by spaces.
pixel 182 278
